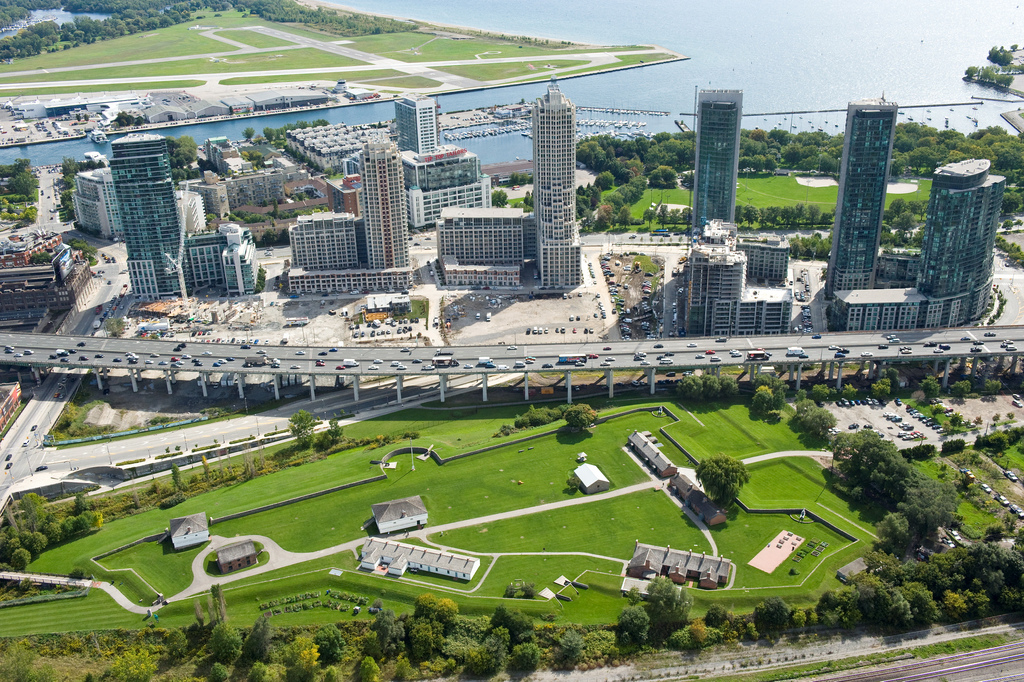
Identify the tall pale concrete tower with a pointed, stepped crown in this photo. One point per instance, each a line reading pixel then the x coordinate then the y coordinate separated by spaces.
pixel 554 190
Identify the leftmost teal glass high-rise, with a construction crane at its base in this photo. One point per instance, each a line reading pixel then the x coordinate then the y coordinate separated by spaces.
pixel 150 220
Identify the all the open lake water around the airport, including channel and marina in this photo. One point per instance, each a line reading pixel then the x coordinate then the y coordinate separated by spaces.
pixel 790 56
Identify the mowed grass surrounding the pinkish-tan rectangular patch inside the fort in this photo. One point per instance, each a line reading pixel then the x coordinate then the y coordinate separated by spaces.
pixel 744 536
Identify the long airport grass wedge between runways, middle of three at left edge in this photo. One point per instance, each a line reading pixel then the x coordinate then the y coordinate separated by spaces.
pixel 307 58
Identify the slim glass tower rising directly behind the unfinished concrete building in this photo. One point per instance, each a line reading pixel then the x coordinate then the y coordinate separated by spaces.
pixel 719 116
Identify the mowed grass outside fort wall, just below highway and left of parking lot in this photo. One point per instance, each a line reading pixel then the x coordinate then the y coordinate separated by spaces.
pixel 733 430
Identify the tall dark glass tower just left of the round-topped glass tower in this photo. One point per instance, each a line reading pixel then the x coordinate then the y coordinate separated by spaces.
pixel 868 149
